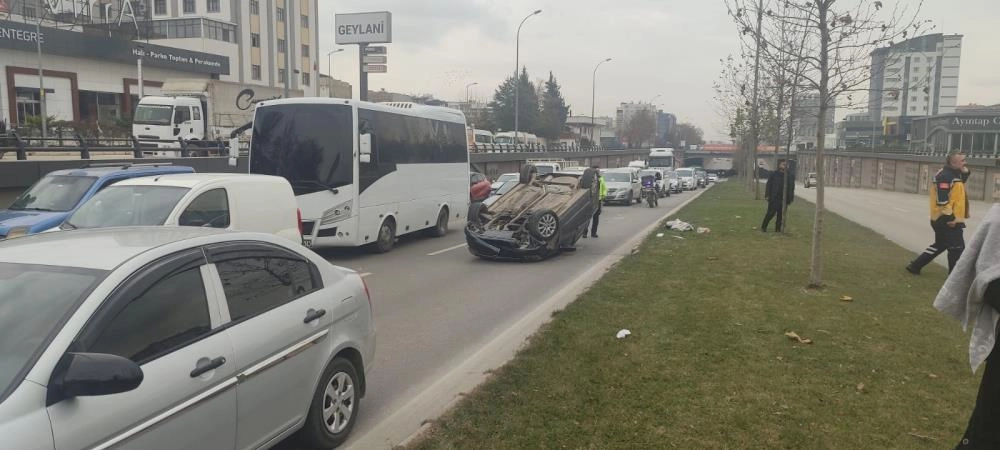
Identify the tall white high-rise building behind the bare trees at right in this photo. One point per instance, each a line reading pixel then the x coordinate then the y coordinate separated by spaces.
pixel 914 78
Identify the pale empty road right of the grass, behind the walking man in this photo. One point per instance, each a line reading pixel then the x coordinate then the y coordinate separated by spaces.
pixel 900 217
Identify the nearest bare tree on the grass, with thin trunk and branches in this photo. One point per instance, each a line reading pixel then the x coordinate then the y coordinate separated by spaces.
pixel 836 62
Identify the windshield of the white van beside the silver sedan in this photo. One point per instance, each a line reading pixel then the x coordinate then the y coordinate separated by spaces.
pixel 122 206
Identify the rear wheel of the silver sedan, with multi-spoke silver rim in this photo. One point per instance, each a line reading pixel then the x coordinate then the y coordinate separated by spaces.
pixel 334 407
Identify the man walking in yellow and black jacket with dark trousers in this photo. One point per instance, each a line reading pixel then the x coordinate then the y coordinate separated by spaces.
pixel 949 209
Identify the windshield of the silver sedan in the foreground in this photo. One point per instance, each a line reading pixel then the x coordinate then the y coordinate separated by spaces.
pixel 34 300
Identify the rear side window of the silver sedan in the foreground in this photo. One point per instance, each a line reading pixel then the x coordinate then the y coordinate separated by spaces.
pixel 254 285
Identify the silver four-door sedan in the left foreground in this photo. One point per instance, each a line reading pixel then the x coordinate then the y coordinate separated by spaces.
pixel 168 338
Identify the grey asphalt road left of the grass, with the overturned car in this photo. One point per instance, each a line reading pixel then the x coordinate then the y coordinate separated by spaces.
pixel 438 308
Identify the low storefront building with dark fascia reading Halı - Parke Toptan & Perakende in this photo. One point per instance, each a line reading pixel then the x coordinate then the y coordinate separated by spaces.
pixel 88 54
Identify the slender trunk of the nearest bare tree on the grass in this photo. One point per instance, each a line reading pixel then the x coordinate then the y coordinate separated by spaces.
pixel 816 265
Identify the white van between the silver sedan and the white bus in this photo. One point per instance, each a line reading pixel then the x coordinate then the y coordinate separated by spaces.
pixel 242 202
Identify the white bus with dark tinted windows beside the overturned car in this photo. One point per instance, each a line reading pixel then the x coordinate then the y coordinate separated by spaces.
pixel 365 173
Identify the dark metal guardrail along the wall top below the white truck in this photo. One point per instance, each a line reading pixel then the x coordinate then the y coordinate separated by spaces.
pixel 22 146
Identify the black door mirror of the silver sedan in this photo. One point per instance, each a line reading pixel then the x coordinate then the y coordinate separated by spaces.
pixel 94 374
